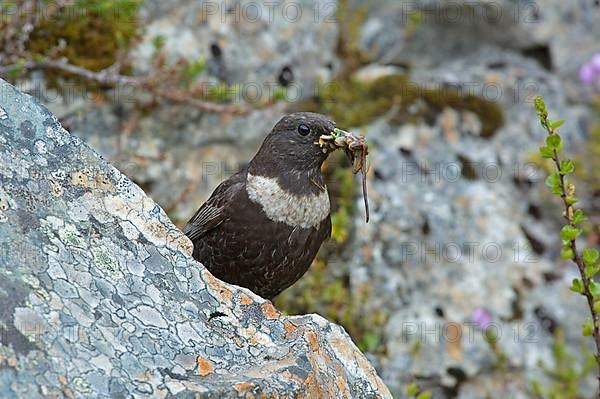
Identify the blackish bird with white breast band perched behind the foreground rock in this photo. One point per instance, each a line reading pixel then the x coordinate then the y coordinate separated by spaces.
pixel 262 227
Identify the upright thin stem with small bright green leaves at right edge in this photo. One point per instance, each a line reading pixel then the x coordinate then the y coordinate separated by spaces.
pixel 586 261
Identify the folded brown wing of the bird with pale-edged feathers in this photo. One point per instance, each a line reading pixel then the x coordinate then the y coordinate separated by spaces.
pixel 213 212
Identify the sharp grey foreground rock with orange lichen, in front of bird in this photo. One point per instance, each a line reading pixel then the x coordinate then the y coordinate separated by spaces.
pixel 100 297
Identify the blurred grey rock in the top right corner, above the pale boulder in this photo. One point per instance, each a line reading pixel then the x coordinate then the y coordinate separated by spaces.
pixel 426 33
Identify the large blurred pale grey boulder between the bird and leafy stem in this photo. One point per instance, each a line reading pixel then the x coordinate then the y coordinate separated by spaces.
pixel 462 222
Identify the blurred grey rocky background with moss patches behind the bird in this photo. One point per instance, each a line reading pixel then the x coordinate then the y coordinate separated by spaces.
pixel 463 234
